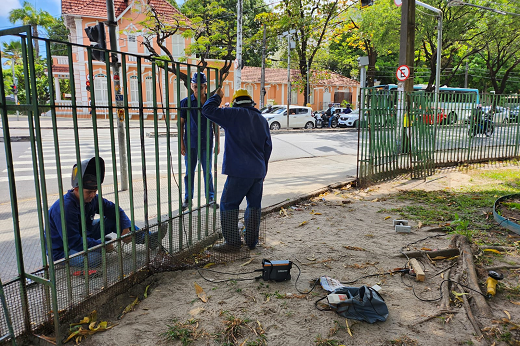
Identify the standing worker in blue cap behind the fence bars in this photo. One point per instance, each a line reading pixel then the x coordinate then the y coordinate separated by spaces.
pixel 192 151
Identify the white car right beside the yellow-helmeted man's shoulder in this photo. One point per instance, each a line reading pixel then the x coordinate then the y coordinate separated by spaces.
pixel 300 117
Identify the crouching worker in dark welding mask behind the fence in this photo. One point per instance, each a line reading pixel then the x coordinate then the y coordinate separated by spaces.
pixel 72 215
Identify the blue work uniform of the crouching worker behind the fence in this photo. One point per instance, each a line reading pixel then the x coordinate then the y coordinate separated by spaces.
pixel 73 223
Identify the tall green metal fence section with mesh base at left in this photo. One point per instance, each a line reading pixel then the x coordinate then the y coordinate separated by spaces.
pixel 40 150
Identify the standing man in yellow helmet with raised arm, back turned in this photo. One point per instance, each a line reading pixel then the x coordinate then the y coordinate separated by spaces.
pixel 246 155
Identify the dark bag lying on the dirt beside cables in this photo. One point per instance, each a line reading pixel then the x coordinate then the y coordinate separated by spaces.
pixel 363 304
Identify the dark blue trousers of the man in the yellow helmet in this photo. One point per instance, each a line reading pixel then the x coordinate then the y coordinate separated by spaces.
pixel 234 192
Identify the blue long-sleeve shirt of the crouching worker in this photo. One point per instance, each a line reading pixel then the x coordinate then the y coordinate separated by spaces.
pixel 73 222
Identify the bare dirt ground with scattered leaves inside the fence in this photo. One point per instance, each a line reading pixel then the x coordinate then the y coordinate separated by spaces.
pixel 345 234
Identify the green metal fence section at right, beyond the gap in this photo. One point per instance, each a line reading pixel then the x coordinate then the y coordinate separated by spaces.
pixel 413 133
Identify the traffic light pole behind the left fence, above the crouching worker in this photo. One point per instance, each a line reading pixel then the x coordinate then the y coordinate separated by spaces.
pixel 112 27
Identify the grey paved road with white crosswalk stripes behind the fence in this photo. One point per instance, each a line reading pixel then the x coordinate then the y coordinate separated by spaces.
pixel 301 162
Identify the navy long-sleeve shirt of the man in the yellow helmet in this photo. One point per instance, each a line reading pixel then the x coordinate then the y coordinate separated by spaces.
pixel 248 143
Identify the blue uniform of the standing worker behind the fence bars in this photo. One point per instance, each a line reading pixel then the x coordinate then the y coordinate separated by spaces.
pixel 192 149
